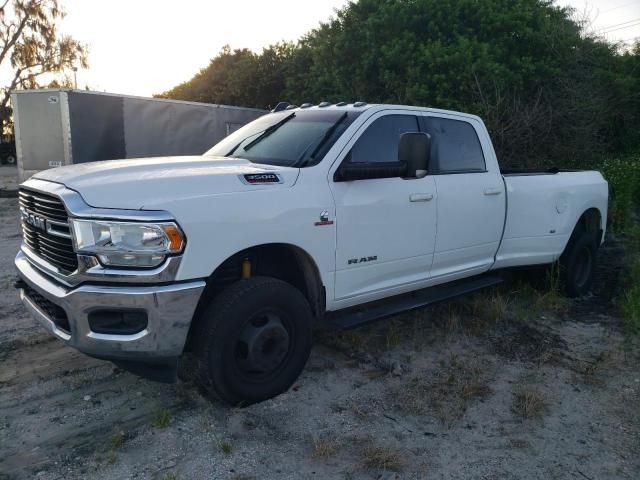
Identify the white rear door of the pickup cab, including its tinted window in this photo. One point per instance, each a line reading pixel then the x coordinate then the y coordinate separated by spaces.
pixel 471 201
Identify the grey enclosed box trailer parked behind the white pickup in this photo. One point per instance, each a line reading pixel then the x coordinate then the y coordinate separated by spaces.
pixel 55 127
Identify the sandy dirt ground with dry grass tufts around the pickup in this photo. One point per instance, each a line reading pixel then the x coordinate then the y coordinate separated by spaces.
pixel 505 384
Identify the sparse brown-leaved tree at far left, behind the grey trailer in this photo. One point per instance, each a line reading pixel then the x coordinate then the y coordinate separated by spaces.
pixel 31 46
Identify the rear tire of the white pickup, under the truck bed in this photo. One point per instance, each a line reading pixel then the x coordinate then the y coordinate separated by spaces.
pixel 577 265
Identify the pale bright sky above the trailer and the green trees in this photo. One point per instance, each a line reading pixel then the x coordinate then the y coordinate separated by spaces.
pixel 142 47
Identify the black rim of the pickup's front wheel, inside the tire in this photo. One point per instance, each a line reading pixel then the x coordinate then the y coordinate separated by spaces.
pixel 263 345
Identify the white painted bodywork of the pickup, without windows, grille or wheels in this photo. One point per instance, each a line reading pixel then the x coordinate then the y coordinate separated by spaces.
pixel 455 234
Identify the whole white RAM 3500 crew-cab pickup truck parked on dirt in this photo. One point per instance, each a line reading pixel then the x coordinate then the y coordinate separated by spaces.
pixel 345 212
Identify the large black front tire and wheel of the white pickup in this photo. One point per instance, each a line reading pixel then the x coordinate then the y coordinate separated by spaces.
pixel 253 340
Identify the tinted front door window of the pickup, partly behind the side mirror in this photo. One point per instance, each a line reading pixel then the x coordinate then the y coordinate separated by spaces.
pixel 379 142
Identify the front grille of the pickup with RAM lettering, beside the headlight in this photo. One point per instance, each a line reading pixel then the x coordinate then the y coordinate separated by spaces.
pixel 45 229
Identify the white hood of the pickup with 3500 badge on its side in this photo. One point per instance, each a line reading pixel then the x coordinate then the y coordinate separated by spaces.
pixel 132 184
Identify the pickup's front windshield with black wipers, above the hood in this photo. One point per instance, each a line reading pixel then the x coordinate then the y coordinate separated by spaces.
pixel 289 138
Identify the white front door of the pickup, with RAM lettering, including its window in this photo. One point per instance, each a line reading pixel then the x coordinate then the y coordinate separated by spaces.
pixel 386 227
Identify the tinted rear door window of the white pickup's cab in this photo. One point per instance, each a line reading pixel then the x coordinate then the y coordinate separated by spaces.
pixel 455 146
